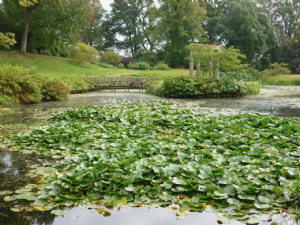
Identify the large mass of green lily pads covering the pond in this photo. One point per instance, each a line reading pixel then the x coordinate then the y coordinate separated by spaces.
pixel 153 154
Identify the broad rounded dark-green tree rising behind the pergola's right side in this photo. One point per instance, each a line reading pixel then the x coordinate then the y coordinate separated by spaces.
pixel 243 27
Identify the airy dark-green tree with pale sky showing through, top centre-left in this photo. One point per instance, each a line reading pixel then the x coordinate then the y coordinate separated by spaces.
pixel 133 21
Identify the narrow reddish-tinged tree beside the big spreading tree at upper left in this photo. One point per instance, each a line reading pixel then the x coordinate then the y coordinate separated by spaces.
pixel 92 35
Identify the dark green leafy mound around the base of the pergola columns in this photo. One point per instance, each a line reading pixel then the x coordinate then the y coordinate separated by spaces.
pixel 187 87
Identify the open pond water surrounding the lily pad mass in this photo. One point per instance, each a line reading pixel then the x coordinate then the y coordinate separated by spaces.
pixel 274 101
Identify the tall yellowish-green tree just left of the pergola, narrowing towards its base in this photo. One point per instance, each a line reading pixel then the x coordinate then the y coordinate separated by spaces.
pixel 180 22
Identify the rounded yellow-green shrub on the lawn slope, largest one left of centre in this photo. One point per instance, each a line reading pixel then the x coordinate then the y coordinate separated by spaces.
pixel 81 52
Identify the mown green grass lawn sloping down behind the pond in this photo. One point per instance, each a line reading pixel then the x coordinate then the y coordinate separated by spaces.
pixel 57 67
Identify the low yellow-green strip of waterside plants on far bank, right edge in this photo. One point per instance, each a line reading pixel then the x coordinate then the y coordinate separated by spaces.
pixel 281 80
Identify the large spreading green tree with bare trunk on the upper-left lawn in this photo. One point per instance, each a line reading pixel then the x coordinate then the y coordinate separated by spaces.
pixel 61 17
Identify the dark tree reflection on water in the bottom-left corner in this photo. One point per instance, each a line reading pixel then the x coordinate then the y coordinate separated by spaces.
pixel 24 218
